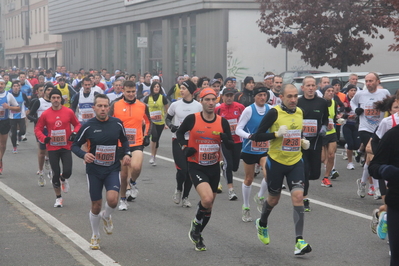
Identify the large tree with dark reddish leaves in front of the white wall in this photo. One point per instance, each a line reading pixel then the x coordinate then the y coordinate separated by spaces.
pixel 325 31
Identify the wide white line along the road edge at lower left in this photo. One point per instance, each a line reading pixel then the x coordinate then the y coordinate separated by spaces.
pixel 98 255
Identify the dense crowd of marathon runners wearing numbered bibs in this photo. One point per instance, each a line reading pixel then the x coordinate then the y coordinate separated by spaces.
pixel 107 120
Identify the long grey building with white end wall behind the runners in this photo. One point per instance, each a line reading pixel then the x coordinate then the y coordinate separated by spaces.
pixel 196 37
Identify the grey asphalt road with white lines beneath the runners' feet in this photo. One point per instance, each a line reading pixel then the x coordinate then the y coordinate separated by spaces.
pixel 154 230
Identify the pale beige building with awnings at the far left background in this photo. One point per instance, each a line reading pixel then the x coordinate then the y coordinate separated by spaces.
pixel 26 38
